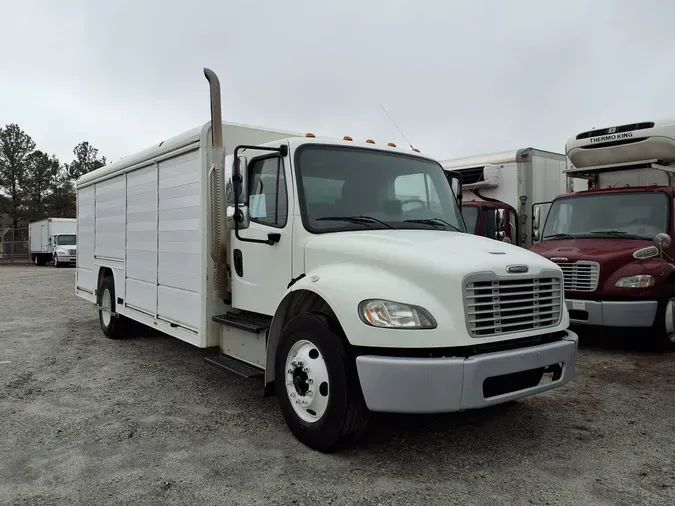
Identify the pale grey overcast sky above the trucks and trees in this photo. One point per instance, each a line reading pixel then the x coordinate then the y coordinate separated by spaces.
pixel 460 78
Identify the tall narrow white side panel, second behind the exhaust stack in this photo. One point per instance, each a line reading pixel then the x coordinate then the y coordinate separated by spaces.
pixel 141 243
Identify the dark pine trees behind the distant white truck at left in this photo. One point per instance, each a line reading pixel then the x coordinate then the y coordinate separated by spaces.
pixel 35 184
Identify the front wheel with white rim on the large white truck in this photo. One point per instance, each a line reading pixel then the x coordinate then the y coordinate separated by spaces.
pixel 317 384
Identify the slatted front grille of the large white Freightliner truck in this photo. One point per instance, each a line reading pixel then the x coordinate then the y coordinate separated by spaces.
pixel 504 306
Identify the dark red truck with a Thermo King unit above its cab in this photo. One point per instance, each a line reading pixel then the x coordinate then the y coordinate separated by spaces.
pixel 613 240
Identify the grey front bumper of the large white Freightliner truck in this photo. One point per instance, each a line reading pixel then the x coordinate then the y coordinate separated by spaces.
pixel 438 385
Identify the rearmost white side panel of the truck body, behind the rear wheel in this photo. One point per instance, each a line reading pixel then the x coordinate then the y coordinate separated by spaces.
pixel 86 277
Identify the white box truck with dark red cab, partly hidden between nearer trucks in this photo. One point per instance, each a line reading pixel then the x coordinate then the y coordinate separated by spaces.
pixel 509 183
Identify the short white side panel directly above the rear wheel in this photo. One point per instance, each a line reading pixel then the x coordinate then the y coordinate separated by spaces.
pixel 110 217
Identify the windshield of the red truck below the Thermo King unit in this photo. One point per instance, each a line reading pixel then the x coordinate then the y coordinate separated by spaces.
pixel 633 215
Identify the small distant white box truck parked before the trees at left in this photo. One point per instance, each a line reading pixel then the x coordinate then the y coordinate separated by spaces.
pixel 53 240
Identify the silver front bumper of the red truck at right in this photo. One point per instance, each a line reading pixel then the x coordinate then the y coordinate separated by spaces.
pixel 612 313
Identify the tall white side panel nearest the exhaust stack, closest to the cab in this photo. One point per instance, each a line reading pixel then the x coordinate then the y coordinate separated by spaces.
pixel 180 240
